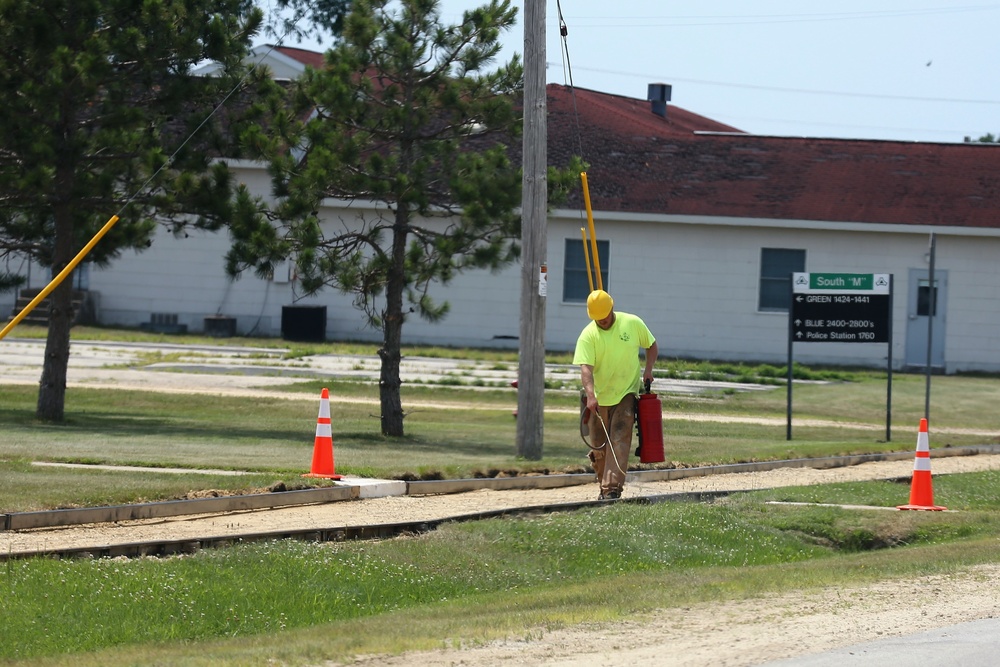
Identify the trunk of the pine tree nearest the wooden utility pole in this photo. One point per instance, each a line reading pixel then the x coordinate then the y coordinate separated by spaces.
pixel 392 332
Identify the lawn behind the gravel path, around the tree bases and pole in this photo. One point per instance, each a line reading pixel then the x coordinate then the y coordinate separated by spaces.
pixel 451 432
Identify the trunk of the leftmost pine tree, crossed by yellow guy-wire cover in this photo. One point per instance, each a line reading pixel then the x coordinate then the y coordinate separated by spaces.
pixel 52 387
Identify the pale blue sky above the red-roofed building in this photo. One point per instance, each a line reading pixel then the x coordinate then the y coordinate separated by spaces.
pixel 905 70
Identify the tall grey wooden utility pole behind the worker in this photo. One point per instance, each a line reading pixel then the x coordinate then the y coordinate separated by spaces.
pixel 534 210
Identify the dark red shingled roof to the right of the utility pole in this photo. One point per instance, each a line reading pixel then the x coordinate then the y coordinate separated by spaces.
pixel 644 163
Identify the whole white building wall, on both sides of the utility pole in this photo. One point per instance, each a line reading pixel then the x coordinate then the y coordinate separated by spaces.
pixel 694 282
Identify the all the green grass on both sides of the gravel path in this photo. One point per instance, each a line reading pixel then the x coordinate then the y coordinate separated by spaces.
pixel 292 603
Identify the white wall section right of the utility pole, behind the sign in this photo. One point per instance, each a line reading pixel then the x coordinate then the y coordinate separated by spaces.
pixel 696 285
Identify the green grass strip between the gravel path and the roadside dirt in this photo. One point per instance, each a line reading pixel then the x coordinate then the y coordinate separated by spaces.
pixel 488 578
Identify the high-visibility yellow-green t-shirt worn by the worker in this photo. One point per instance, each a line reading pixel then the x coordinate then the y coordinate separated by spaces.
pixel 614 354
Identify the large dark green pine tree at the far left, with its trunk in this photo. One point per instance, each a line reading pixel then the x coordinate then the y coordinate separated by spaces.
pixel 99 105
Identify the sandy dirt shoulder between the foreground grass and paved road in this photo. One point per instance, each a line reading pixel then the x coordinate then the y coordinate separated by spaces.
pixel 742 633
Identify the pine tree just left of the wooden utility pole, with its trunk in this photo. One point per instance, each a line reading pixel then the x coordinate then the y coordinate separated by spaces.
pixel 410 113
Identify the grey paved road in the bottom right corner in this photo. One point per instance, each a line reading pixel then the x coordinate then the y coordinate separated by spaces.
pixel 972 644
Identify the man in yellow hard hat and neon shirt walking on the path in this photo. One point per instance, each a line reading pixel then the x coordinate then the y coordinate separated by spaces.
pixel 607 352
